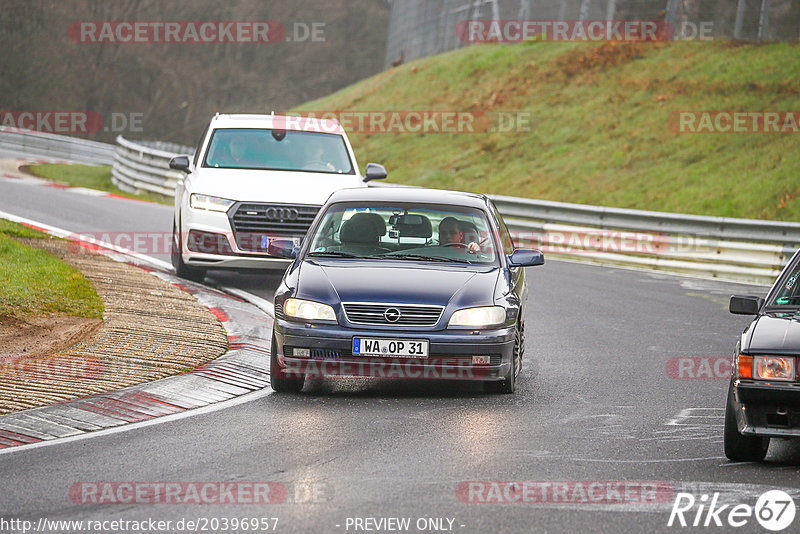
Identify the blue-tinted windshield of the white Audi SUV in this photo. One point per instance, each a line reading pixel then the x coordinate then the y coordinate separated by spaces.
pixel 286 150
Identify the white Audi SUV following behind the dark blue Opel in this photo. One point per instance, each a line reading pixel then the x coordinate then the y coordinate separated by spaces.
pixel 254 179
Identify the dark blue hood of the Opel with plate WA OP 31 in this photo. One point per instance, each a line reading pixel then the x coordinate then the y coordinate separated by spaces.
pixel 396 282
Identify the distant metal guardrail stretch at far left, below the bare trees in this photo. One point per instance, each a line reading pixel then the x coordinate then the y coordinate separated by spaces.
pixel 56 146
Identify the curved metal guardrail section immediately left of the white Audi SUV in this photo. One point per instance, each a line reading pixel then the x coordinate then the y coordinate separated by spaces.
pixel 143 166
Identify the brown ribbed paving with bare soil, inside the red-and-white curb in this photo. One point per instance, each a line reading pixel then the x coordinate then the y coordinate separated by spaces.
pixel 150 330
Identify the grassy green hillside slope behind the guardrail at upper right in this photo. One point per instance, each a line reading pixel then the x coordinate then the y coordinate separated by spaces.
pixel 600 132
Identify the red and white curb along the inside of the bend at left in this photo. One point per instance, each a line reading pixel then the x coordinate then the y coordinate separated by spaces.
pixel 242 370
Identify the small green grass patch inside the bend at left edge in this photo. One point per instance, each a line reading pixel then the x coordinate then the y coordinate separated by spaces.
pixel 33 281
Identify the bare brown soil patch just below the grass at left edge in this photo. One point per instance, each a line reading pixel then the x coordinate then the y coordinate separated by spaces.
pixel 39 336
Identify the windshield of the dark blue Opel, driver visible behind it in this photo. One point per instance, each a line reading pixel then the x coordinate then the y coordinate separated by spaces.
pixel 405 232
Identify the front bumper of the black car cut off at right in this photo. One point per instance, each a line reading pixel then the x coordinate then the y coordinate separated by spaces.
pixel 767 409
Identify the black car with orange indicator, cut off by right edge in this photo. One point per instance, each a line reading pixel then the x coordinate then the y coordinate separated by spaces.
pixel 764 394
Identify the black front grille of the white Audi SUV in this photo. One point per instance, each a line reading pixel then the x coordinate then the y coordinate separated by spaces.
pixel 251 222
